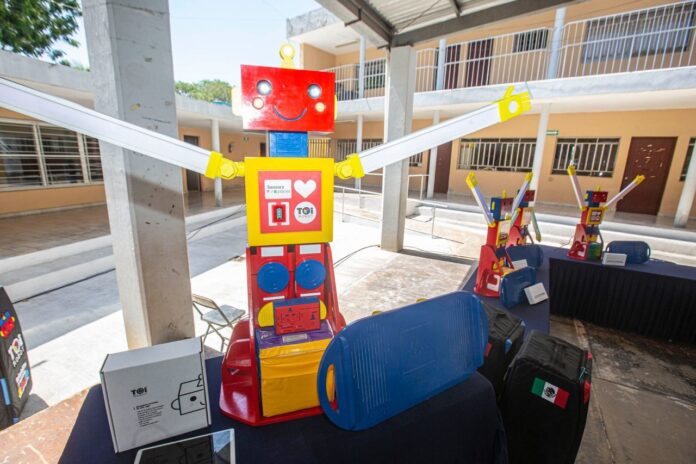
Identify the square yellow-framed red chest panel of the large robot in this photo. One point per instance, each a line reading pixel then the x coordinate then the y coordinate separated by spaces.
pixel 258 169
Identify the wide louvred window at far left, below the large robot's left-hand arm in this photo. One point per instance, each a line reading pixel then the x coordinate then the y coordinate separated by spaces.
pixel 35 154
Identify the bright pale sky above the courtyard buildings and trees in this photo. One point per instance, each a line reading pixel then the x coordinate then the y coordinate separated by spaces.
pixel 212 38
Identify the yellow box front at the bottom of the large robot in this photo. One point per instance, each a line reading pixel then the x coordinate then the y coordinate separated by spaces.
pixel 289 377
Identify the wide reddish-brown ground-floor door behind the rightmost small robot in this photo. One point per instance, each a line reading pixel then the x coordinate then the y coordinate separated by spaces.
pixel 651 157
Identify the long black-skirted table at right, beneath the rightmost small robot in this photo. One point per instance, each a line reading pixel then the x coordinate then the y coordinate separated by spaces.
pixel 656 299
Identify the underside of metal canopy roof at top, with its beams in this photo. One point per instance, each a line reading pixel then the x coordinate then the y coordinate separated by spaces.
pixel 394 23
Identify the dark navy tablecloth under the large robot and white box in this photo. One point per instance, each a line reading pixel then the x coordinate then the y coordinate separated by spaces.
pixel 459 425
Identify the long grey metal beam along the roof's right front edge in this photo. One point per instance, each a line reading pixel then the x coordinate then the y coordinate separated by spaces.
pixel 476 19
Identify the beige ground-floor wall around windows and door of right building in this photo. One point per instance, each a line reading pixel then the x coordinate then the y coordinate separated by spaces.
pixel 554 188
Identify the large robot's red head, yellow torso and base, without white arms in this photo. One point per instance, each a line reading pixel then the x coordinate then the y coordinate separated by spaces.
pixel 269 371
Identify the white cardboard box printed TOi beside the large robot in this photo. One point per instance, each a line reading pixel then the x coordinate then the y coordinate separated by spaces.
pixel 155 392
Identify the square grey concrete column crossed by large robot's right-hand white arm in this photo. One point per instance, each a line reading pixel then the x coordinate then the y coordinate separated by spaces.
pixel 398 115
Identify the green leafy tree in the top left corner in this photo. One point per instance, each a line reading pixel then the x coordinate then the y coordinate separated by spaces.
pixel 32 27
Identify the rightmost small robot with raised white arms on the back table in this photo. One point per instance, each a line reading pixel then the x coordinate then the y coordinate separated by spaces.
pixel 588 244
